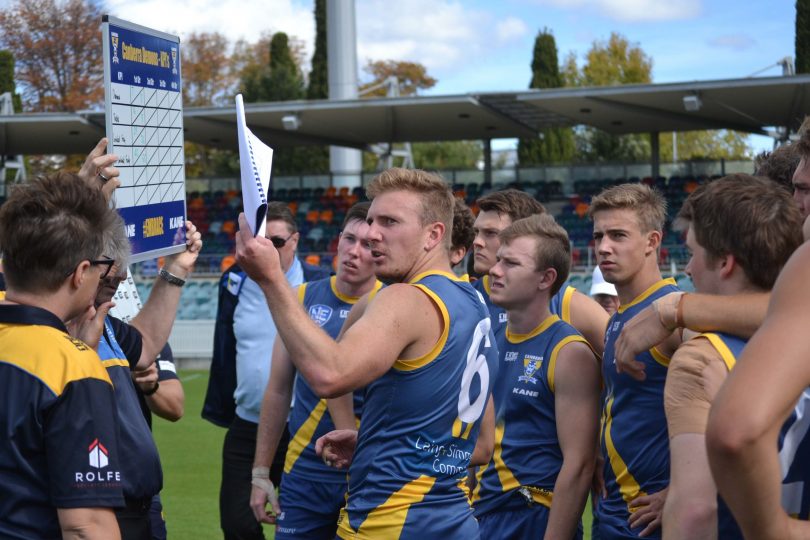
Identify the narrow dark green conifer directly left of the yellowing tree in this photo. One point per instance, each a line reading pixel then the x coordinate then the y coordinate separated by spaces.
pixel 552 145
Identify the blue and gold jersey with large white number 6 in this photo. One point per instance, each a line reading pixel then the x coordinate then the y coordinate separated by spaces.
pixel 420 423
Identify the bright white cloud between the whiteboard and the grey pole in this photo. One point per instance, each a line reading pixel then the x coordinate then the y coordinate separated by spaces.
pixel 236 19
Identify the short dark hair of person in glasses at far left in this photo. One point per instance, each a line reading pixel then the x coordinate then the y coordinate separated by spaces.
pixel 47 227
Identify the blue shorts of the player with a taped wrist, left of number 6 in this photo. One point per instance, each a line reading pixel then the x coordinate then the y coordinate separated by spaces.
pixel 309 509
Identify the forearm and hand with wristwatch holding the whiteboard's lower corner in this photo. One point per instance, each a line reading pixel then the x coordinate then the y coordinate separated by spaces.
pixel 155 320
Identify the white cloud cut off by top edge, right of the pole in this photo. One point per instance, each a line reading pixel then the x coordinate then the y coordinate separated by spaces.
pixel 635 10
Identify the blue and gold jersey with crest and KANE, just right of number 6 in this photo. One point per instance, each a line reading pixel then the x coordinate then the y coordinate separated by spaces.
pixel 527 453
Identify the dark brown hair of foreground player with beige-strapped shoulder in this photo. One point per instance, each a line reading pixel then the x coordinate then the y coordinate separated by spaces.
pixel 746 216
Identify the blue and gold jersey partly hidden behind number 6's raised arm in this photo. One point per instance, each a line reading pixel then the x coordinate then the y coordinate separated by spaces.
pixel 309 417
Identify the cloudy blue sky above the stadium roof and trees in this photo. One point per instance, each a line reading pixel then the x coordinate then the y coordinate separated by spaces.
pixel 484 45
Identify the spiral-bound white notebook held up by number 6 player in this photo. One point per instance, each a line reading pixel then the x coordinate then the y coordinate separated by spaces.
pixel 255 163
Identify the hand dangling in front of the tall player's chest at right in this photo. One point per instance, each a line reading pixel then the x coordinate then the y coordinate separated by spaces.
pixel 641 333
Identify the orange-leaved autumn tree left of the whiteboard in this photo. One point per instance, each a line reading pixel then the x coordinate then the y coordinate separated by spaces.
pixel 58 51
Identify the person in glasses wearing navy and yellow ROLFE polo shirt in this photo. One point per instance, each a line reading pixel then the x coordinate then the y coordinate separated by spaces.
pixel 59 450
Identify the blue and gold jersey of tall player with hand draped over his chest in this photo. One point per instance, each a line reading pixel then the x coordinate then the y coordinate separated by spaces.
pixel 634 438
